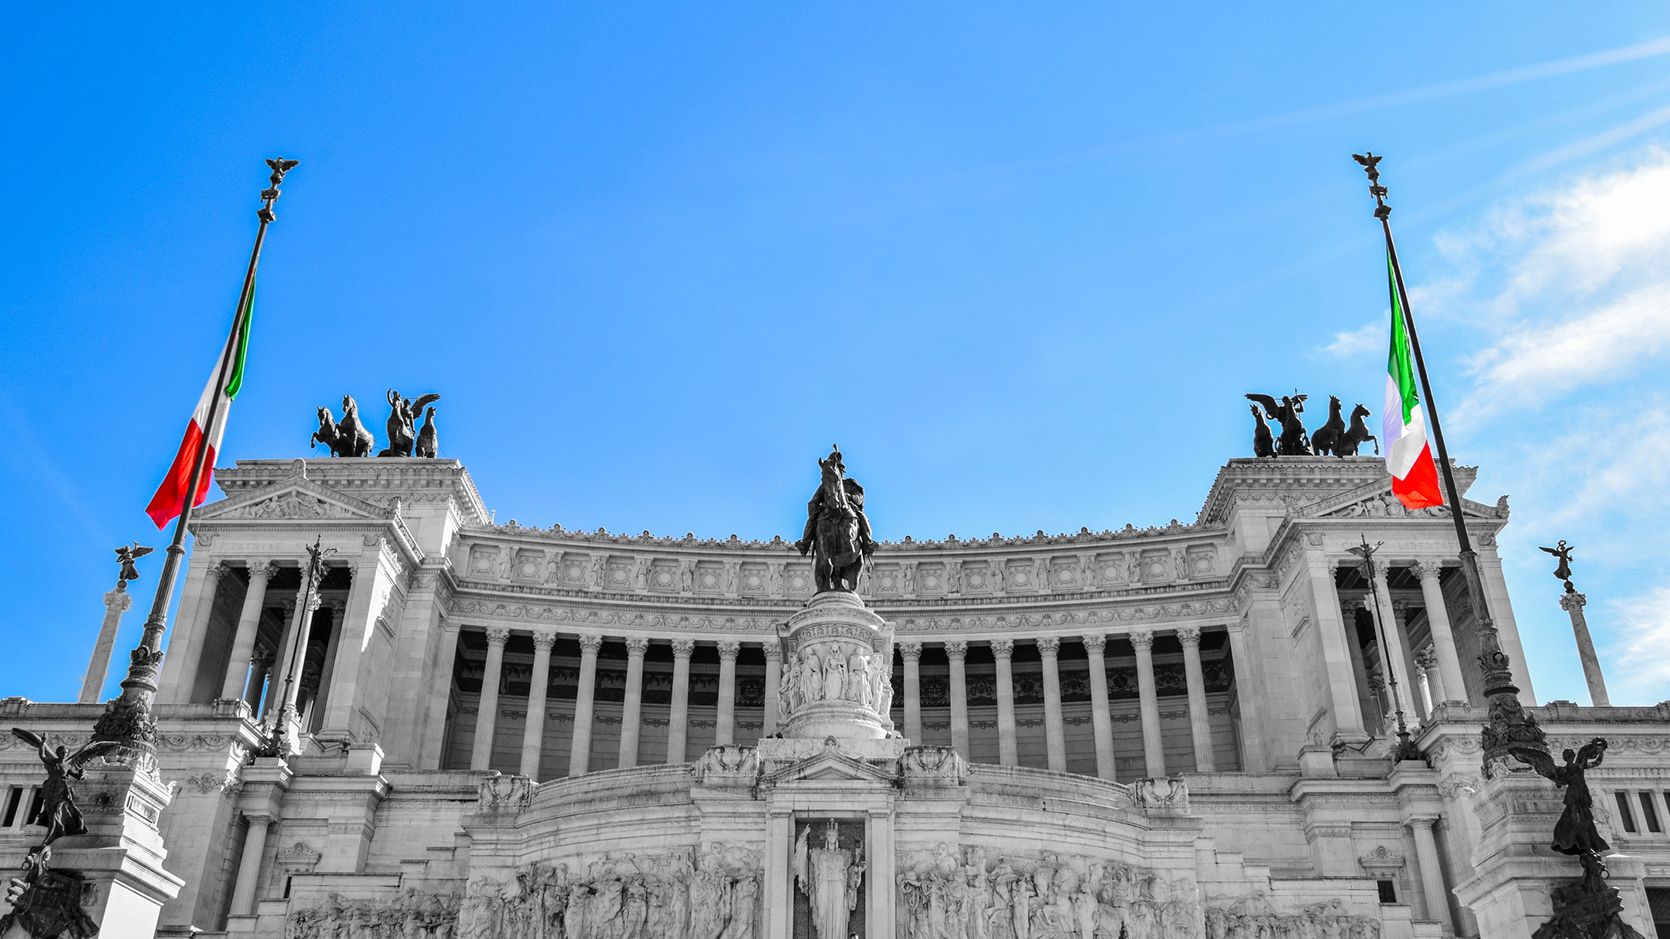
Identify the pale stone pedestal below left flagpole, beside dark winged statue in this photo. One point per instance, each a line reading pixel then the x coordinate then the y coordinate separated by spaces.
pixel 121 855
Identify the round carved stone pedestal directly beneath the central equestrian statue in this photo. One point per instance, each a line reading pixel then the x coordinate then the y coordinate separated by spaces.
pixel 838 674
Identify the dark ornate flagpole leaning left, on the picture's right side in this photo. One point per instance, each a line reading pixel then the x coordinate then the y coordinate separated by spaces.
pixel 1509 728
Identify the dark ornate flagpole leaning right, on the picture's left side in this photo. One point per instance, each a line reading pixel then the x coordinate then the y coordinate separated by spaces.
pixel 128 716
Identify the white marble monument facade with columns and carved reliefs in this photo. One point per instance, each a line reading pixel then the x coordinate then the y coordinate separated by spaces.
pixel 1177 731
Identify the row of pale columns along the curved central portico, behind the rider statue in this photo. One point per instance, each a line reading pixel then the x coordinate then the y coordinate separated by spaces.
pixel 909 703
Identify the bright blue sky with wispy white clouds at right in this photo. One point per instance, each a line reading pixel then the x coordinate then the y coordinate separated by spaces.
pixel 1020 263
